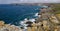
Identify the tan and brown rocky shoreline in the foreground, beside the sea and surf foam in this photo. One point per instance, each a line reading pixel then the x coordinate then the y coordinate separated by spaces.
pixel 46 21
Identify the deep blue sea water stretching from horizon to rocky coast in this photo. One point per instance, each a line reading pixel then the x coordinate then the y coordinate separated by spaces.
pixel 12 14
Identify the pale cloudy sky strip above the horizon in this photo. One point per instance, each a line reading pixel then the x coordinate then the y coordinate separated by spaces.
pixel 28 1
